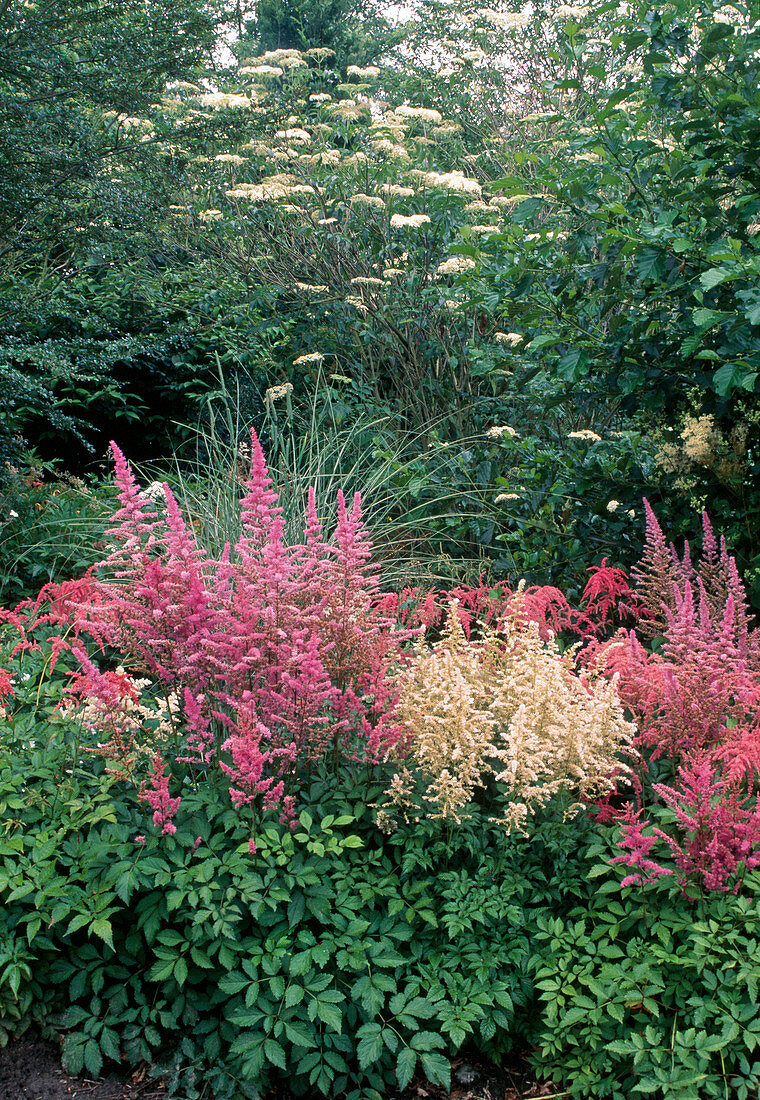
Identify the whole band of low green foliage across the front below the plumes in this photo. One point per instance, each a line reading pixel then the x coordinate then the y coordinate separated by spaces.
pixel 337 961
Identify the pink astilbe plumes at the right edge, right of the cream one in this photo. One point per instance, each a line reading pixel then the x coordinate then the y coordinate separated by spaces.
pixel 697 703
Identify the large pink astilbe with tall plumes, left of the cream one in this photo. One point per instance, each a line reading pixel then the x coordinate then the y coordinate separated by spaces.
pixel 272 657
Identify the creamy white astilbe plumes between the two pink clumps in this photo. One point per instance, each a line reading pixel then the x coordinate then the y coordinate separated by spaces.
pixel 508 709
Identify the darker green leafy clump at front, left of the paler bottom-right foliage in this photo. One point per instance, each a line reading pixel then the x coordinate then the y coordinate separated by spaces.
pixel 332 956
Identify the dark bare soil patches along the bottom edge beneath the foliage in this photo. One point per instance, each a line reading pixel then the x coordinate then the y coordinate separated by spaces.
pixel 30 1070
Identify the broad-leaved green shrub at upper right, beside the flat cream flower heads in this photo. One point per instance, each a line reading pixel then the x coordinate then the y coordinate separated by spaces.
pixel 634 265
